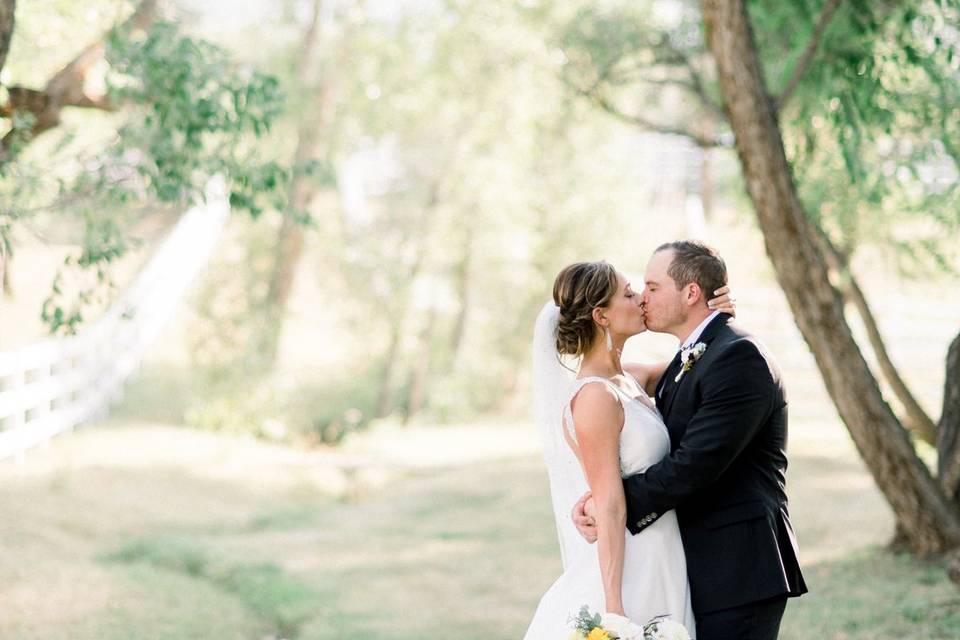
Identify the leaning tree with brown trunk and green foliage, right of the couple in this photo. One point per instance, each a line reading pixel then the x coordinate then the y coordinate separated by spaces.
pixel 835 92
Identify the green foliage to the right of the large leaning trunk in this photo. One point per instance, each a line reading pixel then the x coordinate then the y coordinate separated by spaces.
pixel 870 128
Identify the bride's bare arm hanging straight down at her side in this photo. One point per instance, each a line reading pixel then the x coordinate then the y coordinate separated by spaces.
pixel 598 418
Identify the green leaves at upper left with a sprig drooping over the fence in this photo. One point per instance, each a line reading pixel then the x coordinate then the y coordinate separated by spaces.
pixel 190 113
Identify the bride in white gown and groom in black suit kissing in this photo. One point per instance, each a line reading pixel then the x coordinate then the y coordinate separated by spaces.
pixel 667 480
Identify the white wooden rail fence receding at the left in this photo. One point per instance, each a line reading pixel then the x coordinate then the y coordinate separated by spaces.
pixel 54 385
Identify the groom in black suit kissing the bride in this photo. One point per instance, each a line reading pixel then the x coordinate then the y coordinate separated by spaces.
pixel 724 405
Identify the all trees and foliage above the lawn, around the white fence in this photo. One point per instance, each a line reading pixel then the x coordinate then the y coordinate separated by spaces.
pixel 418 171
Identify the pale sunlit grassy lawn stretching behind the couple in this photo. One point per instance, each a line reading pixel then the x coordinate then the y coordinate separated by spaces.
pixel 161 532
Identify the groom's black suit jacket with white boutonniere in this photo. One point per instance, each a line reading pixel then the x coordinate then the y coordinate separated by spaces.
pixel 725 475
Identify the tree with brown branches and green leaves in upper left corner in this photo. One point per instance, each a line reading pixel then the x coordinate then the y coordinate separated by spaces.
pixel 173 111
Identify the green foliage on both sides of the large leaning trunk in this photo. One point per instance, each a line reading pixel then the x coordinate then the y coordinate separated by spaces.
pixel 871 129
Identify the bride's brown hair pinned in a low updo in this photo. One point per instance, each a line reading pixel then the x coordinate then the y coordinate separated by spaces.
pixel 578 289
